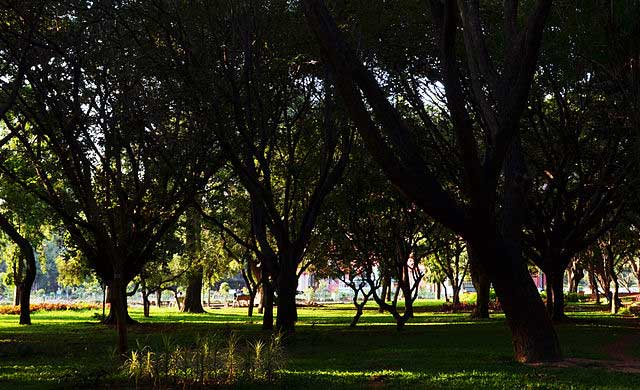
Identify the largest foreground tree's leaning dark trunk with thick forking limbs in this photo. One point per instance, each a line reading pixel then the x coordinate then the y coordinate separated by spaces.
pixel 499 91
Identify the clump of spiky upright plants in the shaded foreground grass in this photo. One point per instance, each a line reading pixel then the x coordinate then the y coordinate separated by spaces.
pixel 212 361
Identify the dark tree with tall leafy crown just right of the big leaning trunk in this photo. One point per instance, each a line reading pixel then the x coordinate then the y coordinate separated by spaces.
pixel 579 145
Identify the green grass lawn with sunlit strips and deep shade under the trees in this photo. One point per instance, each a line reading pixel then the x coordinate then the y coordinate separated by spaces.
pixel 436 350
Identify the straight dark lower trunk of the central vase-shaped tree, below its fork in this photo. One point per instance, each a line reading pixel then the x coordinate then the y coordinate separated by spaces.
pixel 287 285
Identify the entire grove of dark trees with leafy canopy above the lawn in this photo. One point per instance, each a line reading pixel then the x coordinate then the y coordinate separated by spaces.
pixel 165 145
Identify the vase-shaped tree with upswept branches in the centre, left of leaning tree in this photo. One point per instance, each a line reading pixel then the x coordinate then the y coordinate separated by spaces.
pixel 276 119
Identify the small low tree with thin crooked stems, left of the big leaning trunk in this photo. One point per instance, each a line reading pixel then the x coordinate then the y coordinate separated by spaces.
pixel 374 235
